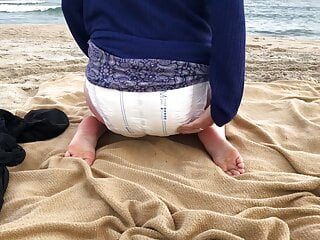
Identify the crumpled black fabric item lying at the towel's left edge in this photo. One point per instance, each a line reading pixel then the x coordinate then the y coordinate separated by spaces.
pixel 37 125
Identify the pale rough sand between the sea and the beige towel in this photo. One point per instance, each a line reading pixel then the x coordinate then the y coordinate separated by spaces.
pixel 32 54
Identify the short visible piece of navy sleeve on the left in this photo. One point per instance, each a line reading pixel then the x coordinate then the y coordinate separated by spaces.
pixel 73 13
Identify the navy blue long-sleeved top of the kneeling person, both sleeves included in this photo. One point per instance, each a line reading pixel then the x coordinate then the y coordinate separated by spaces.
pixel 202 31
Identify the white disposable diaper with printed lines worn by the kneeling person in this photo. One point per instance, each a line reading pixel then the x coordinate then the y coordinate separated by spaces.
pixel 136 114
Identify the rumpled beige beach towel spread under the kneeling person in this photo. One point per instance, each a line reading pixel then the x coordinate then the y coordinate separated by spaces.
pixel 160 188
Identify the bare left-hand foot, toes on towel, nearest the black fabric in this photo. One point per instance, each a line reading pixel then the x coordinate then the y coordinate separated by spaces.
pixel 83 144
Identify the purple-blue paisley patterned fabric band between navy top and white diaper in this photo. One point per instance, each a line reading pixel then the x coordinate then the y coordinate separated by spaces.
pixel 141 75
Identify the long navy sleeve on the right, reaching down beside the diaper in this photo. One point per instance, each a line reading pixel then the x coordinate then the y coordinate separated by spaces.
pixel 227 61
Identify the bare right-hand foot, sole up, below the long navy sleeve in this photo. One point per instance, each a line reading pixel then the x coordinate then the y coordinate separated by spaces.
pixel 222 152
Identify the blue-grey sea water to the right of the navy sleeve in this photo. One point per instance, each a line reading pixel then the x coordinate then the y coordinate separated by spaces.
pixel 290 18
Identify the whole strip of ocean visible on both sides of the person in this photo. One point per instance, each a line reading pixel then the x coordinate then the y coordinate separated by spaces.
pixel 286 18
